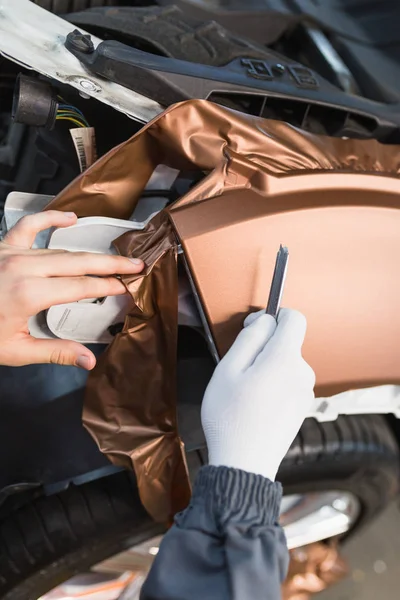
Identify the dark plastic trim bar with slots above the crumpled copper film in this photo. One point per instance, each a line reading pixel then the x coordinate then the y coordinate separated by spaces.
pixel 271 86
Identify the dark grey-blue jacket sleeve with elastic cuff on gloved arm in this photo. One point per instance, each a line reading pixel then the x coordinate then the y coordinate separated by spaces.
pixel 227 545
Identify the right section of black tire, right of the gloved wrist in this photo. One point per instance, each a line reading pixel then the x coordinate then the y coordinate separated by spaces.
pixel 358 454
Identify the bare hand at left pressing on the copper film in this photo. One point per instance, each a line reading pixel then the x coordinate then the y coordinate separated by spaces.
pixel 34 280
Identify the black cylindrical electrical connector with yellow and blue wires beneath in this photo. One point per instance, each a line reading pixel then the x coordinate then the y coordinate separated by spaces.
pixel 35 102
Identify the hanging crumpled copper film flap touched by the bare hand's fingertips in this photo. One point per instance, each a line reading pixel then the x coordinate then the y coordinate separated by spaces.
pixel 130 404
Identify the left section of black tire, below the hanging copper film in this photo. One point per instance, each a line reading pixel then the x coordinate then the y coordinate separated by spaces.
pixel 54 538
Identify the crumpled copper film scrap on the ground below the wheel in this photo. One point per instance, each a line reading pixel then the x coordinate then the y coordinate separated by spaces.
pixel 313 569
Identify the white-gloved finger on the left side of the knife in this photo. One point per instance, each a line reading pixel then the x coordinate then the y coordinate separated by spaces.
pixel 250 342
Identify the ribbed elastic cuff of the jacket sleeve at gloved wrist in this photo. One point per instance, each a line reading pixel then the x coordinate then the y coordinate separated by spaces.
pixel 231 495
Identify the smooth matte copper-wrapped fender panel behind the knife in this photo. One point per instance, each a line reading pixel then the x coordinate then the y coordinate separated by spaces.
pixel 344 245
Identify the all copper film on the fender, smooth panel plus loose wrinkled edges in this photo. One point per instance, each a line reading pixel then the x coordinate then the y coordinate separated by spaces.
pixel 333 202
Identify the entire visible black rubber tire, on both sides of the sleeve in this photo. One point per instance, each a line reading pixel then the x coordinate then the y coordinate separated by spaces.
pixel 53 538
